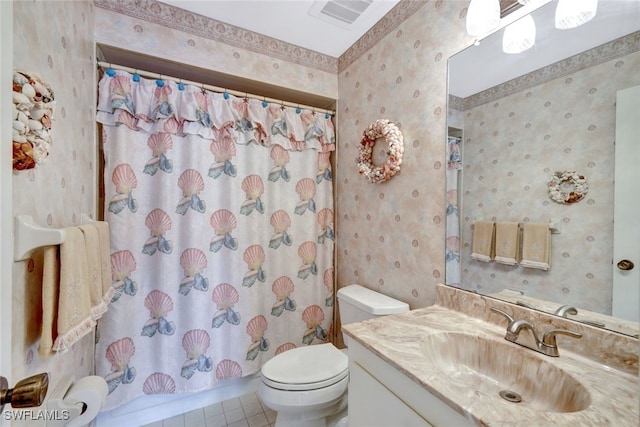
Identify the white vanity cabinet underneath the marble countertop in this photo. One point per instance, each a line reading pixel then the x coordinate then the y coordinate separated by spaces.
pixel 382 396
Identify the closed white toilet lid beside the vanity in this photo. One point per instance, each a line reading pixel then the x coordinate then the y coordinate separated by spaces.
pixel 306 368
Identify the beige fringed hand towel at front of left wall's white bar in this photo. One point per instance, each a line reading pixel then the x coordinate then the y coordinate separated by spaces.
pixel 75 319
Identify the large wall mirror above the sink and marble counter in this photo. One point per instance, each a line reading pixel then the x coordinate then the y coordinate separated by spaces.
pixel 516 119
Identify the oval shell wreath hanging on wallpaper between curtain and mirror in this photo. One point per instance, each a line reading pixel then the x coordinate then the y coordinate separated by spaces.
pixel 381 128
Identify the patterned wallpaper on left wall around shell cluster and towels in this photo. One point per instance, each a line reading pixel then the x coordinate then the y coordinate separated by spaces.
pixel 57 193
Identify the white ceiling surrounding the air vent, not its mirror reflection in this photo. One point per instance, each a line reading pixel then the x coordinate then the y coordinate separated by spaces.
pixel 289 21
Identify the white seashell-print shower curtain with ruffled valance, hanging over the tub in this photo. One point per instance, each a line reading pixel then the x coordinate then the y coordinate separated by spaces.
pixel 221 217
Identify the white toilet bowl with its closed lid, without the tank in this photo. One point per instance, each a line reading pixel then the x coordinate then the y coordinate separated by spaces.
pixel 306 386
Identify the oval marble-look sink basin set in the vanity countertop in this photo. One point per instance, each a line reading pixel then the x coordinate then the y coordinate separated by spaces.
pixel 498 369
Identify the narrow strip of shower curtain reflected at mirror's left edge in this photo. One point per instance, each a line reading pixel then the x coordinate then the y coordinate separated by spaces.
pixel 452 252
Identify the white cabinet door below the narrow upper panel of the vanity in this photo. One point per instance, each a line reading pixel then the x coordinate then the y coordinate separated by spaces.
pixel 371 404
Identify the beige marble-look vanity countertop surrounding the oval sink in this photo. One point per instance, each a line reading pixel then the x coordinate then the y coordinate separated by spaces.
pixel 398 340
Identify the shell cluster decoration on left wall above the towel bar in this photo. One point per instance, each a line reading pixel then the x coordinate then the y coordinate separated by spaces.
pixel 33 104
